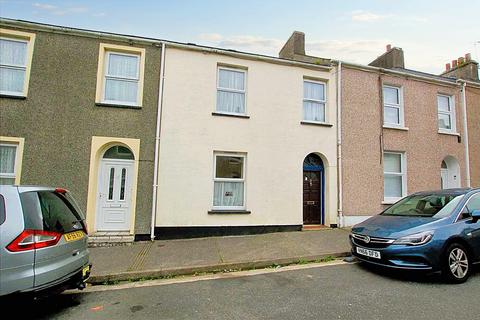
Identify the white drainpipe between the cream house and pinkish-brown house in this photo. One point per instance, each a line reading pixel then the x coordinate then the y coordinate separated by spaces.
pixel 341 221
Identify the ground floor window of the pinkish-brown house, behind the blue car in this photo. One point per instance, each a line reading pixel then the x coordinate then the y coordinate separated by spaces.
pixel 394 176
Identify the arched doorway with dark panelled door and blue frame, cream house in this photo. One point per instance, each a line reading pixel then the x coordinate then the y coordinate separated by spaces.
pixel 313 190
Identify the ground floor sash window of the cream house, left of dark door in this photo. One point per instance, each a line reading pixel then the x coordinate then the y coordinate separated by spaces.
pixel 229 181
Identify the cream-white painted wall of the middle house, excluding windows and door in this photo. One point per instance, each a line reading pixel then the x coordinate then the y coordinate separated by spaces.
pixel 273 139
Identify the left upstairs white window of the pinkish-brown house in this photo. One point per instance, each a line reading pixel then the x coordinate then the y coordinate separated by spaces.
pixel 392 106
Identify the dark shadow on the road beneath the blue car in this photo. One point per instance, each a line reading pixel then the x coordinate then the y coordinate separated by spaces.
pixel 410 275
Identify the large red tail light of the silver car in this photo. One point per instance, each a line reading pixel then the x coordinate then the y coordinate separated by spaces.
pixel 34 239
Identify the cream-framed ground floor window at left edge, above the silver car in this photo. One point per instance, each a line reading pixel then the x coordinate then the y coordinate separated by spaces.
pixel 10 160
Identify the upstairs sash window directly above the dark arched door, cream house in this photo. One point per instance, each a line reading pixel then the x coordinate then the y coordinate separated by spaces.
pixel 314 101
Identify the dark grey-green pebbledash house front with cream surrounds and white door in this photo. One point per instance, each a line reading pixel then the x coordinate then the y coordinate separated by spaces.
pixel 78 111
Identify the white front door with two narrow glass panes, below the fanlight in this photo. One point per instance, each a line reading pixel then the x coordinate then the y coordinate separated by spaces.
pixel 114 196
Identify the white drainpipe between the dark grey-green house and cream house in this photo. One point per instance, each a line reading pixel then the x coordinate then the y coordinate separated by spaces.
pixel 157 143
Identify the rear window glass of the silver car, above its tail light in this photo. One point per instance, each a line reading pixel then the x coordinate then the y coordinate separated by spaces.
pixel 49 211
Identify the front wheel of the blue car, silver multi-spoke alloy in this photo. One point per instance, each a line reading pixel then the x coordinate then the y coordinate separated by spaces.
pixel 456 264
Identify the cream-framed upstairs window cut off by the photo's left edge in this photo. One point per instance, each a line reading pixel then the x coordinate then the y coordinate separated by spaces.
pixel 15 62
